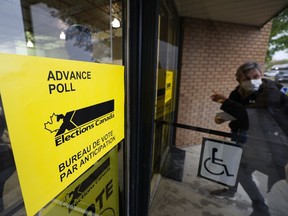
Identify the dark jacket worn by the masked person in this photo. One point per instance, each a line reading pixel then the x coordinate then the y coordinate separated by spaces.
pixel 262 115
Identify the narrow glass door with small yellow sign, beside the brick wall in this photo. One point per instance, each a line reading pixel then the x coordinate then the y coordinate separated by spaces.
pixel 166 82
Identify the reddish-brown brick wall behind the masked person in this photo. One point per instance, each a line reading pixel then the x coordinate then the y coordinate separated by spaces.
pixel 212 51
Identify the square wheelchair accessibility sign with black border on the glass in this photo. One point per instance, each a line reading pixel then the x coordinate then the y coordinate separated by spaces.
pixel 219 161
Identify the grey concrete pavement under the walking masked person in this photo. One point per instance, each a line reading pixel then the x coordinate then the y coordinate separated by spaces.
pixel 191 195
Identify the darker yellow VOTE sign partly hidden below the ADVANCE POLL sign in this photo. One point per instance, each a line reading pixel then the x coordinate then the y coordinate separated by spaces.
pixel 93 193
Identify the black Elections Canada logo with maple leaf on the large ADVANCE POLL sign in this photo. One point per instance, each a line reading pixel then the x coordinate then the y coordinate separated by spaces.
pixel 77 122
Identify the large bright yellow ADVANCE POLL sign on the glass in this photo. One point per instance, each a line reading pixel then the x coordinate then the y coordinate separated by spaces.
pixel 62 117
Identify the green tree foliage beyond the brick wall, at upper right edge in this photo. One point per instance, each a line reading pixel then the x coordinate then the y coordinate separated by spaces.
pixel 279 34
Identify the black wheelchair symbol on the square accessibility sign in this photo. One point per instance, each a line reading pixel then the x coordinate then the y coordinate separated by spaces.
pixel 218 162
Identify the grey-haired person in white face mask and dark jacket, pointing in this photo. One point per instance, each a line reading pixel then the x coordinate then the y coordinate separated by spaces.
pixel 261 113
